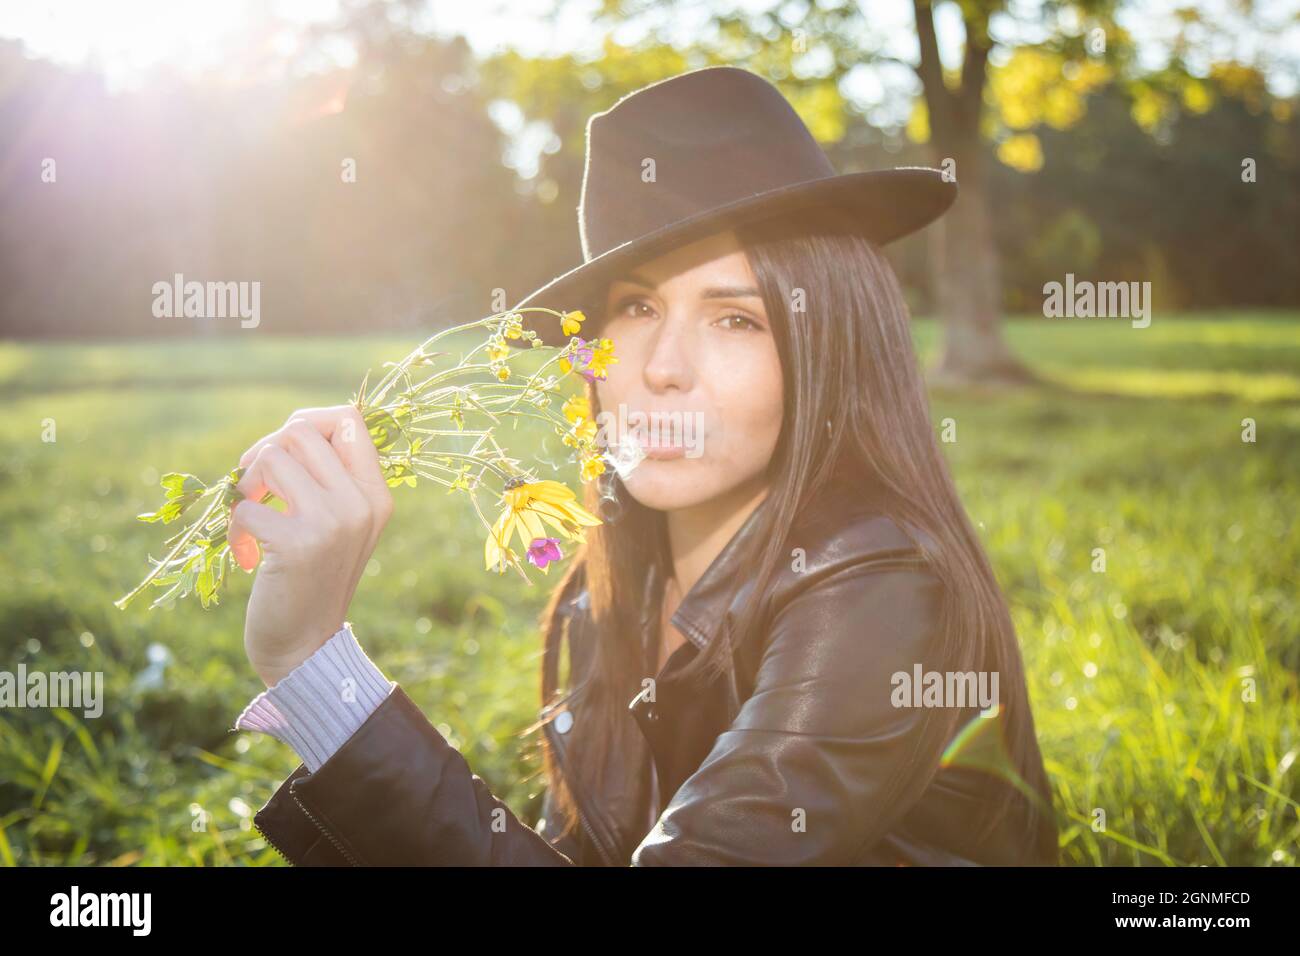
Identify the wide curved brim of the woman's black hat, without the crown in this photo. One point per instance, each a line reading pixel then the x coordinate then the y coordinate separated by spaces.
pixel 889 204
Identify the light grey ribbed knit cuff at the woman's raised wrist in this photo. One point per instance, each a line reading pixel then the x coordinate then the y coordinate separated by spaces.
pixel 322 703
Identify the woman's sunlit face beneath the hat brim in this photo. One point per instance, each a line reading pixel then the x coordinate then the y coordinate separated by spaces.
pixel 697 380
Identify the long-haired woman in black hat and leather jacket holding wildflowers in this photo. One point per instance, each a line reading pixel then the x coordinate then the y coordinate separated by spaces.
pixel 775 641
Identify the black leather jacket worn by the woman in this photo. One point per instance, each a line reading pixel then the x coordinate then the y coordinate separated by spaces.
pixel 787 764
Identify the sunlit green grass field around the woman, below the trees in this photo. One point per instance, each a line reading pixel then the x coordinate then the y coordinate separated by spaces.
pixel 1165 687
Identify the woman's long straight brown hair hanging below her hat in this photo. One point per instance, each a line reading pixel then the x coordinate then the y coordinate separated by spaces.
pixel 847 357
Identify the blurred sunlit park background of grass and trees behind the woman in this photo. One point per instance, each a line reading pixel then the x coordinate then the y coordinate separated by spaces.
pixel 1149 142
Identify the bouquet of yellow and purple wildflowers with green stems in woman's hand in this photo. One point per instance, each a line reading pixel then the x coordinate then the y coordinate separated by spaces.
pixel 434 421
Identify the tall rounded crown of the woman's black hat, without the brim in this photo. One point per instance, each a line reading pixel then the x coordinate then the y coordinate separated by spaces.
pixel 688 145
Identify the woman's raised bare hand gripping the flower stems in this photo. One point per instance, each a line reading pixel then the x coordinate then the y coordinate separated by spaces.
pixel 324 466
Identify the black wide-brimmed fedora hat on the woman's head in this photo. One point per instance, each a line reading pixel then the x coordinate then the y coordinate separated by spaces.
pixel 704 152
